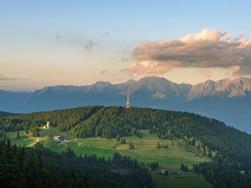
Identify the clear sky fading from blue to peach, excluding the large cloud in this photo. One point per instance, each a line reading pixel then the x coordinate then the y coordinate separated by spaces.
pixel 47 37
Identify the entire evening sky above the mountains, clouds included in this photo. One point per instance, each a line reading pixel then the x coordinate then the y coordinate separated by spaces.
pixel 59 42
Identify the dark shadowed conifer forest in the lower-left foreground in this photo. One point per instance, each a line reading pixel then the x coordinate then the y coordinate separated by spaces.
pixel 38 167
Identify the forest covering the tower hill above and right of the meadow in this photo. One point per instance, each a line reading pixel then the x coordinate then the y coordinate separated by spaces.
pixel 228 147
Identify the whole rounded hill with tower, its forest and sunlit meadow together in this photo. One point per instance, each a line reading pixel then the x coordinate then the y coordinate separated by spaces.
pixel 205 145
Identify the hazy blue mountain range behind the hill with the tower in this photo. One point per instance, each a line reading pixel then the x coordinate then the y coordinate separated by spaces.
pixel 227 100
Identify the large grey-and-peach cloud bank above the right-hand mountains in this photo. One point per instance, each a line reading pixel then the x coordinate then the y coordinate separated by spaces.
pixel 206 49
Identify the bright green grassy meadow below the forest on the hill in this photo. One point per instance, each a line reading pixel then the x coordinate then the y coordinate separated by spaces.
pixel 145 150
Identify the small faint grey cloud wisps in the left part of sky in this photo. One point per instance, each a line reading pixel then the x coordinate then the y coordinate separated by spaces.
pixel 86 44
